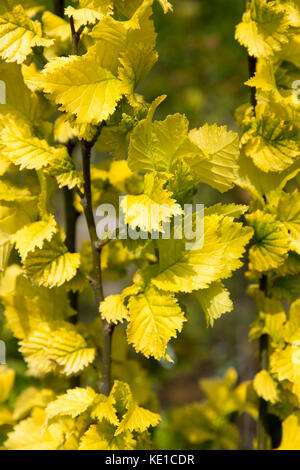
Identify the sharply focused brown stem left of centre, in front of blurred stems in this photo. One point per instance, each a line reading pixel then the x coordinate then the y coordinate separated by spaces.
pixel 104 385
